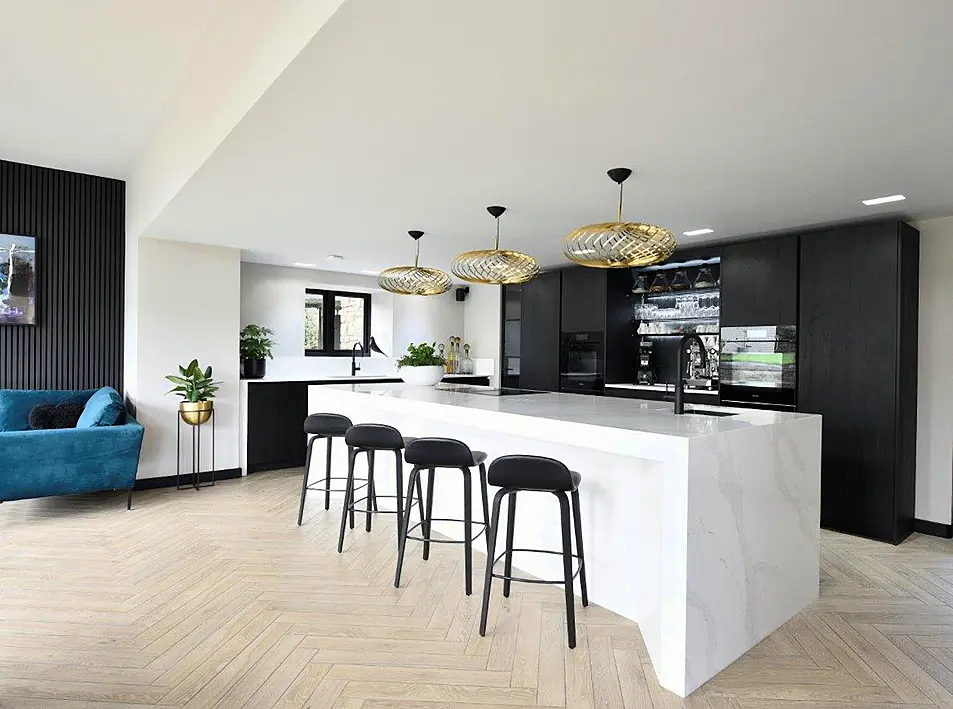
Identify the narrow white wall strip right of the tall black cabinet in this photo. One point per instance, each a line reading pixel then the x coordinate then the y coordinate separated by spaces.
pixel 935 389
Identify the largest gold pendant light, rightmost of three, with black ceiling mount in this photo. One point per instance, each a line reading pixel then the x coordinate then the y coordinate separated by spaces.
pixel 619 244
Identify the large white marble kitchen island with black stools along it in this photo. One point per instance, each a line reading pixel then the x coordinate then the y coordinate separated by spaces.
pixel 702 528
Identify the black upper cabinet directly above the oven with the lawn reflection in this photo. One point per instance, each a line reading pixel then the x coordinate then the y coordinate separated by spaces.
pixel 759 282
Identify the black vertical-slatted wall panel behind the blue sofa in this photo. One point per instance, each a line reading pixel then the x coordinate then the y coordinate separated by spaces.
pixel 79 225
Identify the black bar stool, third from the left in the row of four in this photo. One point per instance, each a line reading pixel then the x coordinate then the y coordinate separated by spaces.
pixel 430 454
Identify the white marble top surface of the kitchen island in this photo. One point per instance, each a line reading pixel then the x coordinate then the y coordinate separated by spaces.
pixel 633 415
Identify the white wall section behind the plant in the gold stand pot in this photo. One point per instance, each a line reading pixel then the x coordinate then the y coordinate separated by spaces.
pixel 187 307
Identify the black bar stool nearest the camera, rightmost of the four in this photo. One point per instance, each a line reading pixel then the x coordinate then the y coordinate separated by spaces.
pixel 530 473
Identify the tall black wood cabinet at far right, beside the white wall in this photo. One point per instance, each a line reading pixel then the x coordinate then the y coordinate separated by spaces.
pixel 857 367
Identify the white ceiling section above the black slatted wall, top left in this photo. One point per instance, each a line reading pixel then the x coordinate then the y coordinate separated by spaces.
pixel 83 82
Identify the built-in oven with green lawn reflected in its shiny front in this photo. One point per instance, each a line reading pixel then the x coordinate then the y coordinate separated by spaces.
pixel 757 366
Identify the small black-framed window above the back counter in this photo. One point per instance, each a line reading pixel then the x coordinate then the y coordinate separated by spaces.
pixel 334 321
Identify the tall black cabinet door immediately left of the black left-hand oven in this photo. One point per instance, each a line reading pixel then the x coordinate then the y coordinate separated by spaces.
pixel 539 333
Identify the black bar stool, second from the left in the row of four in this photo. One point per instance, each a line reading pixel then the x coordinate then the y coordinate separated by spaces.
pixel 369 438
